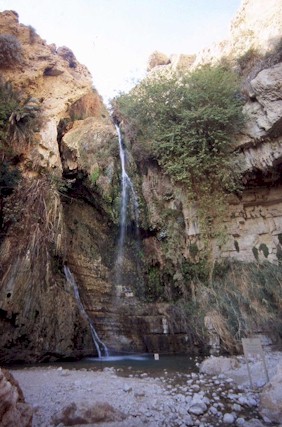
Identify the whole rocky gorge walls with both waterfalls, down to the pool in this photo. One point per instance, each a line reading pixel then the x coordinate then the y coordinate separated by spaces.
pixel 95 233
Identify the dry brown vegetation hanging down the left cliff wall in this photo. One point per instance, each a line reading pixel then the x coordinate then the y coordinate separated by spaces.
pixel 34 218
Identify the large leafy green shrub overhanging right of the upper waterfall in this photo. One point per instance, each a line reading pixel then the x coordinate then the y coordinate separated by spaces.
pixel 189 120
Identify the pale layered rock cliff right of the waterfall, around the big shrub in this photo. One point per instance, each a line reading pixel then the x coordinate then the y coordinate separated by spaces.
pixel 251 225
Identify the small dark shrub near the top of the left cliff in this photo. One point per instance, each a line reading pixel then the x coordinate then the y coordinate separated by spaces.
pixel 10 51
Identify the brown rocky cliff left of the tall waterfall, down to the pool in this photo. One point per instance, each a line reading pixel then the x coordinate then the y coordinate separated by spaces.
pixel 65 212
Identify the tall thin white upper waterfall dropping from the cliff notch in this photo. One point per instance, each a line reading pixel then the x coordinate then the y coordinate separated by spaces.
pixel 127 192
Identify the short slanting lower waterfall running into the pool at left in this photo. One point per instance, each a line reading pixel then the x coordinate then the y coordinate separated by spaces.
pixel 100 346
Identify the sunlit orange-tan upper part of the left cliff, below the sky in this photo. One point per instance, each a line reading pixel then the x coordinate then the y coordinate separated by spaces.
pixel 51 75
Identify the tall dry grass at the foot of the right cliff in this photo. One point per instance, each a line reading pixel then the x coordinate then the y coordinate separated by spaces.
pixel 240 300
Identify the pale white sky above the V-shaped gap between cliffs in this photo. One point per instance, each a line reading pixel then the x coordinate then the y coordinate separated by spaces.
pixel 114 38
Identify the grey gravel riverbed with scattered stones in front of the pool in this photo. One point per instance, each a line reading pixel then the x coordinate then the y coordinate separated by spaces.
pixel 117 398
